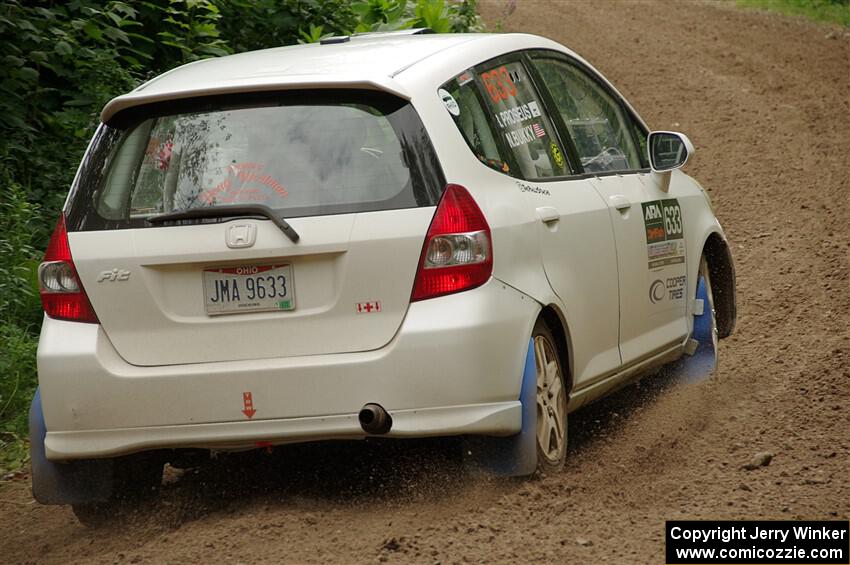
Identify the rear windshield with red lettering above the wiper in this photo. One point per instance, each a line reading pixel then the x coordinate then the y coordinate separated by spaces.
pixel 301 154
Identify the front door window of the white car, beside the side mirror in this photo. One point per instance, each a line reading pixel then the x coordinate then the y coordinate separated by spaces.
pixel 596 122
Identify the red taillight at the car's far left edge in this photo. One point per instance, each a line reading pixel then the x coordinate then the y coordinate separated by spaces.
pixel 62 295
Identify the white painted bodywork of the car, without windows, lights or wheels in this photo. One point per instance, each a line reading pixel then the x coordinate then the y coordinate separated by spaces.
pixel 159 373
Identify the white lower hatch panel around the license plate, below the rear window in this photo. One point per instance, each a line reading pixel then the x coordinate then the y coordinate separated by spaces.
pixel 340 261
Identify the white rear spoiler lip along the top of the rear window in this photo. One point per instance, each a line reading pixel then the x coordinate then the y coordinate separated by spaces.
pixel 270 84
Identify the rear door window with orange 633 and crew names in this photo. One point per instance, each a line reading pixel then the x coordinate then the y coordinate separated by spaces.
pixel 519 114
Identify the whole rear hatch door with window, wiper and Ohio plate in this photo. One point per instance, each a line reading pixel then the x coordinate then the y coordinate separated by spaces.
pixel 353 174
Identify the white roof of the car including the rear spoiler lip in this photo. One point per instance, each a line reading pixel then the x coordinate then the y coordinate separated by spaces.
pixel 364 61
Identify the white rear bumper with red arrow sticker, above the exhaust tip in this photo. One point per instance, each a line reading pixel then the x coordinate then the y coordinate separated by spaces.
pixel 454 367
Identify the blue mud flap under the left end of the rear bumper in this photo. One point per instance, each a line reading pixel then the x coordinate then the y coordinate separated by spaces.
pixel 74 482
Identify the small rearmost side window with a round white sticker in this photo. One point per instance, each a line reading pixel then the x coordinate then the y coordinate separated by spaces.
pixel 461 99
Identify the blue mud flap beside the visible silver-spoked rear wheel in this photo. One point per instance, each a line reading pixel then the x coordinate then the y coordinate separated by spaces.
pixel 513 456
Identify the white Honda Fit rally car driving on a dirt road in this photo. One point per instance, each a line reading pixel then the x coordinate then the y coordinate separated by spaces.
pixel 403 235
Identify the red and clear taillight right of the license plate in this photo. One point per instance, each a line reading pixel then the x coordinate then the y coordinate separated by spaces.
pixel 457 254
